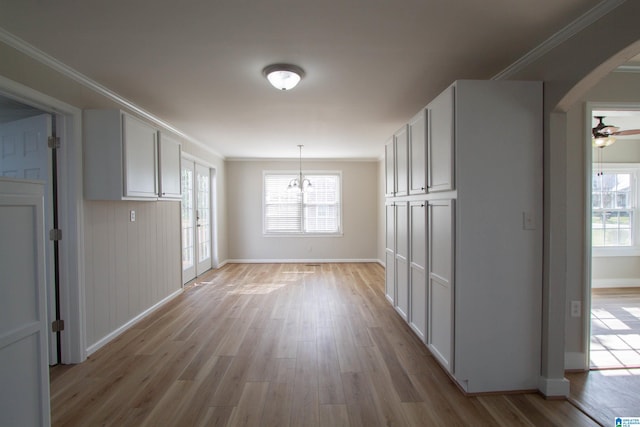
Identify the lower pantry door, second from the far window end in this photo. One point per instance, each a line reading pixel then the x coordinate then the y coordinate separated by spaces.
pixel 402 259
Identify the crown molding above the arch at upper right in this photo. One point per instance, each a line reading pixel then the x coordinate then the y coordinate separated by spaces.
pixel 591 16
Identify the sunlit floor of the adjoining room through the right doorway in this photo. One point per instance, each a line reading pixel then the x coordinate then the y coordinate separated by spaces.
pixel 615 328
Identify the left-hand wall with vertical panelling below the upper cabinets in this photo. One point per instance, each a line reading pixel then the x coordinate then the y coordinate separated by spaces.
pixel 129 267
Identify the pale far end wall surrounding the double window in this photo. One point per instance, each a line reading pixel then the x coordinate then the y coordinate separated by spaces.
pixel 359 214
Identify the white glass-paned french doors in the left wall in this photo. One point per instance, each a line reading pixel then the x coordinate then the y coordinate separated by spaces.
pixel 196 220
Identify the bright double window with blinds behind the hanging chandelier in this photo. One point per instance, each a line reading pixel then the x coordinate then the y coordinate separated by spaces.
pixel 316 211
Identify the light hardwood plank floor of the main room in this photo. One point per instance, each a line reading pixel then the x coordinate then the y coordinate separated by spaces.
pixel 280 345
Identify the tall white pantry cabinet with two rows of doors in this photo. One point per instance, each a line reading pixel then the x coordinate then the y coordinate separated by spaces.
pixel 464 232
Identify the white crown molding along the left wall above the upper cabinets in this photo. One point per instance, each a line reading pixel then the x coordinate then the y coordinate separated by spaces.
pixel 53 63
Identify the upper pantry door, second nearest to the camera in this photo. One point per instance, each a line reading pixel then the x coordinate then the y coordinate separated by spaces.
pixel 418 153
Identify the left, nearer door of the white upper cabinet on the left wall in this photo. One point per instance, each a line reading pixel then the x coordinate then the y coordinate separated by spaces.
pixel 140 158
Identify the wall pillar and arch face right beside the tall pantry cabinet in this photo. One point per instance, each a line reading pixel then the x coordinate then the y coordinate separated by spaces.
pixel 568 70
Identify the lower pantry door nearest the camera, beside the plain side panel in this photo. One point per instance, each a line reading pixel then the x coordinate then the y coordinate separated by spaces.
pixel 441 282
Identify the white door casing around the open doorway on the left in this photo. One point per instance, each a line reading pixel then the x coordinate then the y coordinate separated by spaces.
pixel 70 211
